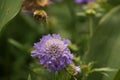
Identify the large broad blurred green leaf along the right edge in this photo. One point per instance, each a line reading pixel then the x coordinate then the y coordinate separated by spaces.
pixel 104 46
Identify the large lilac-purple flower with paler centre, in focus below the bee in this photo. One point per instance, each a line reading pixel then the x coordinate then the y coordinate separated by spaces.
pixel 52 52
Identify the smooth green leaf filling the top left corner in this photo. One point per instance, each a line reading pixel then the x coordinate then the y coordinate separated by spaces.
pixel 8 10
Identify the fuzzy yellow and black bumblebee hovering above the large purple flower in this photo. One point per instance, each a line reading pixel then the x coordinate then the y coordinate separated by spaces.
pixel 40 15
